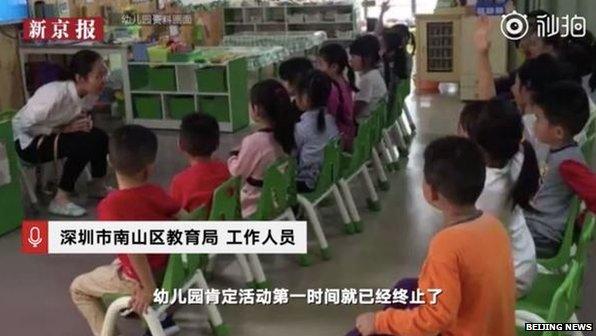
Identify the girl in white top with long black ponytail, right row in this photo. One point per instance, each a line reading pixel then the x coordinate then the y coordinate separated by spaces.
pixel 511 177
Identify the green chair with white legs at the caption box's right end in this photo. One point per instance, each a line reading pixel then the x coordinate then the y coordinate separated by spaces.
pixel 326 185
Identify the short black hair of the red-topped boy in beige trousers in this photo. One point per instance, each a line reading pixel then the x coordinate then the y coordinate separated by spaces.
pixel 132 149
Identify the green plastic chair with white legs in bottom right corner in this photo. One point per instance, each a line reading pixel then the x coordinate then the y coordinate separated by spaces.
pixel 556 308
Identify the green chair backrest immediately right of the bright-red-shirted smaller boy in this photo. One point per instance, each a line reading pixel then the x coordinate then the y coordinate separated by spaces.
pixel 226 201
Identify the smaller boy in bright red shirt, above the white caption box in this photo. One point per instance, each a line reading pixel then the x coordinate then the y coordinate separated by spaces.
pixel 199 139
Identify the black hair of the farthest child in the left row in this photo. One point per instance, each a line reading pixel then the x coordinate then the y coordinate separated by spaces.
pixel 397 38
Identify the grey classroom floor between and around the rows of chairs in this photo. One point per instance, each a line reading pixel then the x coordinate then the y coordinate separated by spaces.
pixel 34 297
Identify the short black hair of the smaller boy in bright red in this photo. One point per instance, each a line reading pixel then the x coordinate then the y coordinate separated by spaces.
pixel 199 134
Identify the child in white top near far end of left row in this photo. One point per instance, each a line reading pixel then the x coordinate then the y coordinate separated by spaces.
pixel 364 58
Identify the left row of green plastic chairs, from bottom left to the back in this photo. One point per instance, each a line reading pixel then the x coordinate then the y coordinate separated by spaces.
pixel 278 200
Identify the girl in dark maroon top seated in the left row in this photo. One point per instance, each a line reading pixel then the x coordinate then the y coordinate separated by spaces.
pixel 333 61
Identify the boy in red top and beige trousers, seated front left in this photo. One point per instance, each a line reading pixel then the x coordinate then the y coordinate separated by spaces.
pixel 132 152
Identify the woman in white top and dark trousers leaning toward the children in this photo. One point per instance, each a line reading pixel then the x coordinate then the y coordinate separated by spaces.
pixel 55 124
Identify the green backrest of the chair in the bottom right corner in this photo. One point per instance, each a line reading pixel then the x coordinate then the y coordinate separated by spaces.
pixel 564 301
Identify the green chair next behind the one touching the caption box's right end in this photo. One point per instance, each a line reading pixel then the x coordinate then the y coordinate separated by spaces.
pixel 355 163
